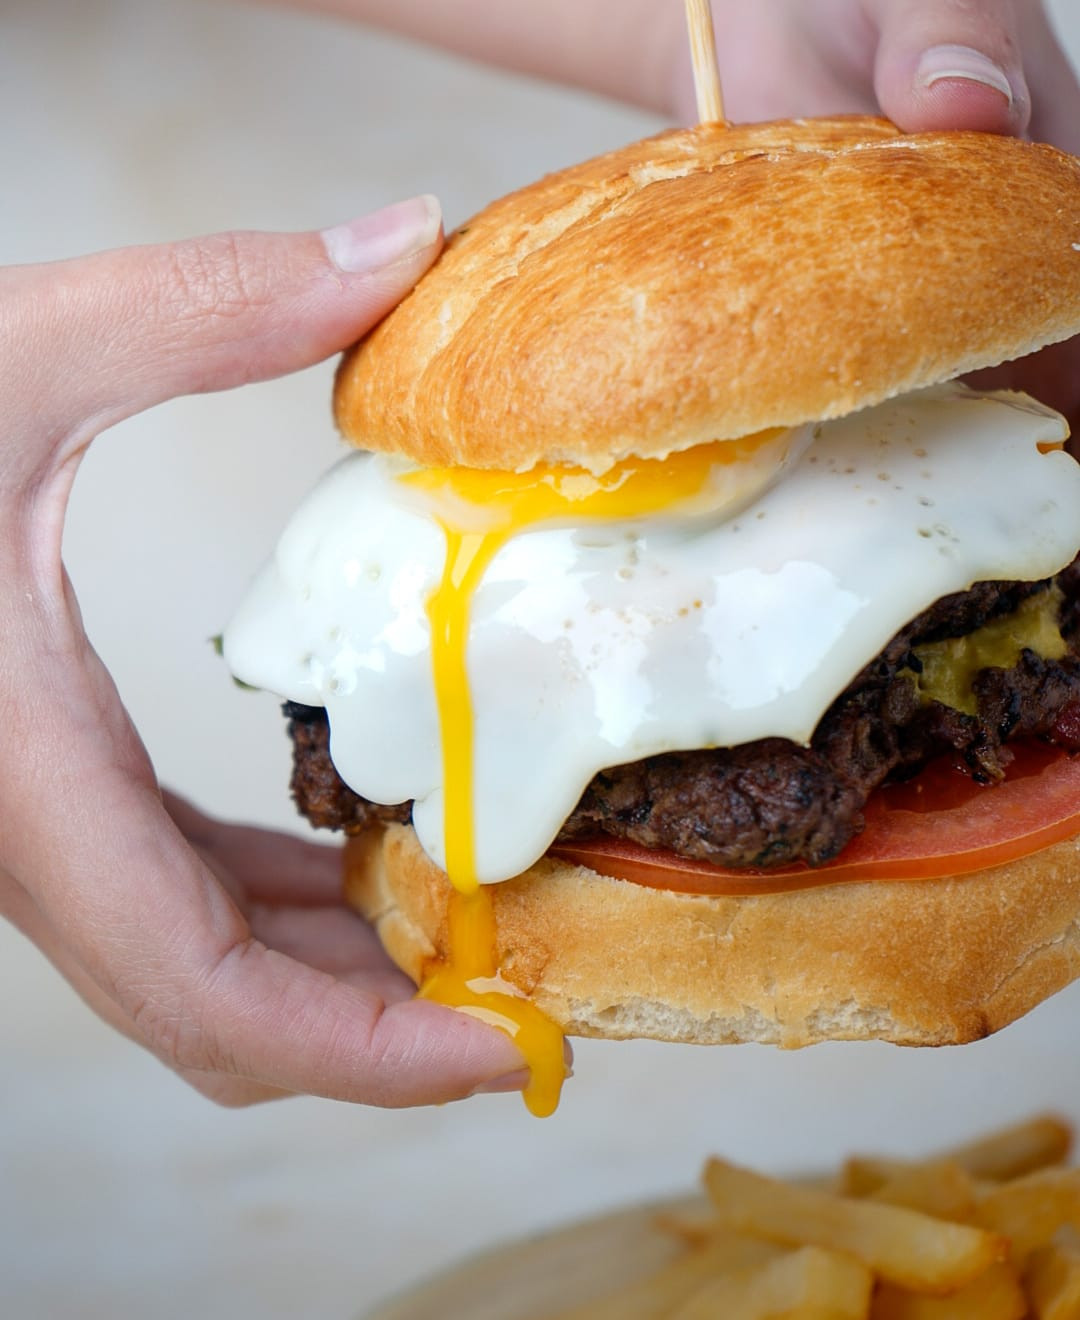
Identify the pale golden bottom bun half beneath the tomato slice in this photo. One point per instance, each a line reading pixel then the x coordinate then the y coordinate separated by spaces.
pixel 928 963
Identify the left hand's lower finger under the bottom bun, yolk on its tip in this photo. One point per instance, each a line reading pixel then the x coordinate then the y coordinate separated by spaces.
pixel 156 931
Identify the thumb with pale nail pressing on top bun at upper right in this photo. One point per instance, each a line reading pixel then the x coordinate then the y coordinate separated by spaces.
pixel 950 65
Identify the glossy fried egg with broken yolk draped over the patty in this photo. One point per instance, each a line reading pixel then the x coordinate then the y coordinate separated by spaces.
pixel 485 643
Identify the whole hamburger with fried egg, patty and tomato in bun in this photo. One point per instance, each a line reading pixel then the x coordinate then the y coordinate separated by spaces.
pixel 686 653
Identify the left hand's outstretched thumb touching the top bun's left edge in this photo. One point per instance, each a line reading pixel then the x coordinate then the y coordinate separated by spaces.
pixel 133 328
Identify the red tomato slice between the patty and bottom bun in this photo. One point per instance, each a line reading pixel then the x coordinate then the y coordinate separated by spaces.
pixel 938 824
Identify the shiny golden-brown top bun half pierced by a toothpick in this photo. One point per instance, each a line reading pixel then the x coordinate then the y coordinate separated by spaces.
pixel 714 282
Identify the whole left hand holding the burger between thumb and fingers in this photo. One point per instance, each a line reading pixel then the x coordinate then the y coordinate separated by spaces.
pixel 222 950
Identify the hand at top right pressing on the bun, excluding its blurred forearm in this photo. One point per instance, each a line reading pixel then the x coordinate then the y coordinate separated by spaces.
pixel 988 65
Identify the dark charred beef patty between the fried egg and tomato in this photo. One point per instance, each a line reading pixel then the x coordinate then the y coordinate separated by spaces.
pixel 773 802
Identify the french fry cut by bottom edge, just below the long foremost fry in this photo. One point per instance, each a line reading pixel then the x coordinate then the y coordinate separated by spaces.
pixel 809 1284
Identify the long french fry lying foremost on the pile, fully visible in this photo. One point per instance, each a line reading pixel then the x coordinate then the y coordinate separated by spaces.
pixel 902 1247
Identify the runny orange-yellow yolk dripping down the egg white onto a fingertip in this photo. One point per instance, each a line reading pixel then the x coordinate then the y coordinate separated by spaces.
pixel 480 511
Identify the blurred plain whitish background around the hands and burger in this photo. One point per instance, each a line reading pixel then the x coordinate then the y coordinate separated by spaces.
pixel 121 1193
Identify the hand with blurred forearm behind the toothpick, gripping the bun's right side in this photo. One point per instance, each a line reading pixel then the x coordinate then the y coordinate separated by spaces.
pixel 991 65
